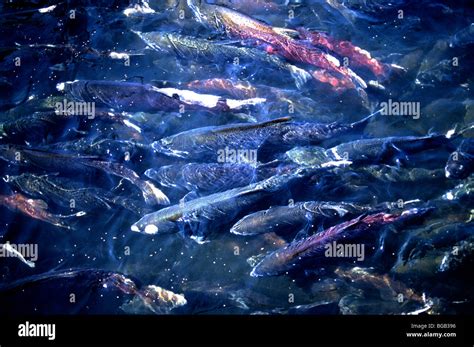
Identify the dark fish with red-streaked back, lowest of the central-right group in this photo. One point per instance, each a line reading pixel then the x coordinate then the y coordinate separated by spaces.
pixel 313 248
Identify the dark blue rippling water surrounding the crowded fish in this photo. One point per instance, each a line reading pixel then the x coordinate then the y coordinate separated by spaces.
pixel 73 40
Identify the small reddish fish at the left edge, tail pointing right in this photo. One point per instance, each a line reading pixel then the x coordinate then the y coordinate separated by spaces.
pixel 35 208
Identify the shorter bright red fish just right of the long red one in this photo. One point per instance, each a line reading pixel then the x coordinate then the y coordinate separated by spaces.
pixel 358 57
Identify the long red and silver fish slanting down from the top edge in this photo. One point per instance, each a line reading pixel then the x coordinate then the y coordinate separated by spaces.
pixel 275 40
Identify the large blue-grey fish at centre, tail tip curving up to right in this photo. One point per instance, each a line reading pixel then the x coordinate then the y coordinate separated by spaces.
pixel 207 143
